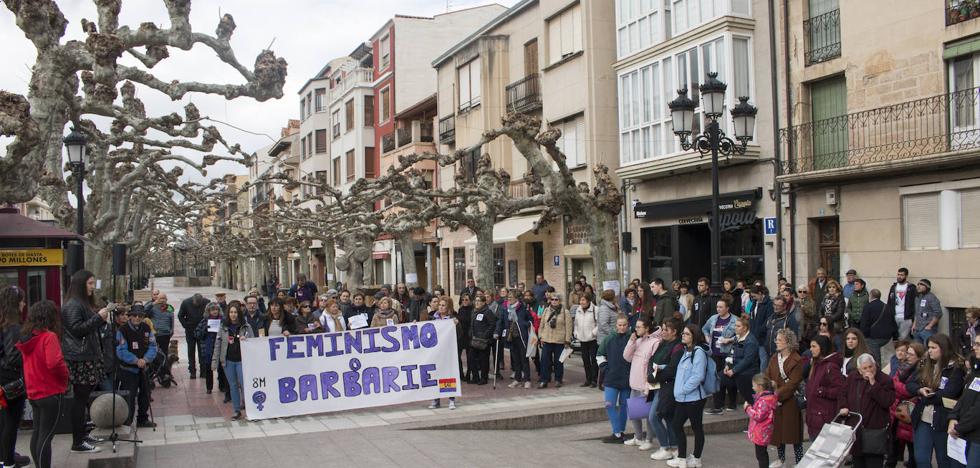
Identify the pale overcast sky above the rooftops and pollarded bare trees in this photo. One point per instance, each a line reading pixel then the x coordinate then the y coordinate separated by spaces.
pixel 306 33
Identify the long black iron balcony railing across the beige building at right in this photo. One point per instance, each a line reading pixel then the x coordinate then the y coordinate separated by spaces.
pixel 924 127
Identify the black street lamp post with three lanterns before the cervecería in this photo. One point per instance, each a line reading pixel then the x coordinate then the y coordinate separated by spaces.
pixel 713 141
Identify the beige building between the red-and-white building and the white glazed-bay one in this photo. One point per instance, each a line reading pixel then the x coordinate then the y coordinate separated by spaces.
pixel 552 58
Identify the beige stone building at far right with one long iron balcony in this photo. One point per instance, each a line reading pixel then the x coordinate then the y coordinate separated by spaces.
pixel 882 144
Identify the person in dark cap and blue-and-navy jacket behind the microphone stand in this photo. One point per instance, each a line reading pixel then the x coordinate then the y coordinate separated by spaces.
pixel 135 347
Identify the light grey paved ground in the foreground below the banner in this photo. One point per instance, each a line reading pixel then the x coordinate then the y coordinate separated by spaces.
pixel 568 446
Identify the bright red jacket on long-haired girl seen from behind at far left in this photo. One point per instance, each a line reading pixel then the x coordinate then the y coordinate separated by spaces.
pixel 45 372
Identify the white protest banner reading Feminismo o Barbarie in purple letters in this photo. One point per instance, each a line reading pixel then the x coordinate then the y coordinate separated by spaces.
pixel 324 372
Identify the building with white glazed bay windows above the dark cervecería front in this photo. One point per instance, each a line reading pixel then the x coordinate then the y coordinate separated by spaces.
pixel 663 46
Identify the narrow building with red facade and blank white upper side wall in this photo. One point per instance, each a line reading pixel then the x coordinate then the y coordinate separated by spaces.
pixel 404 83
